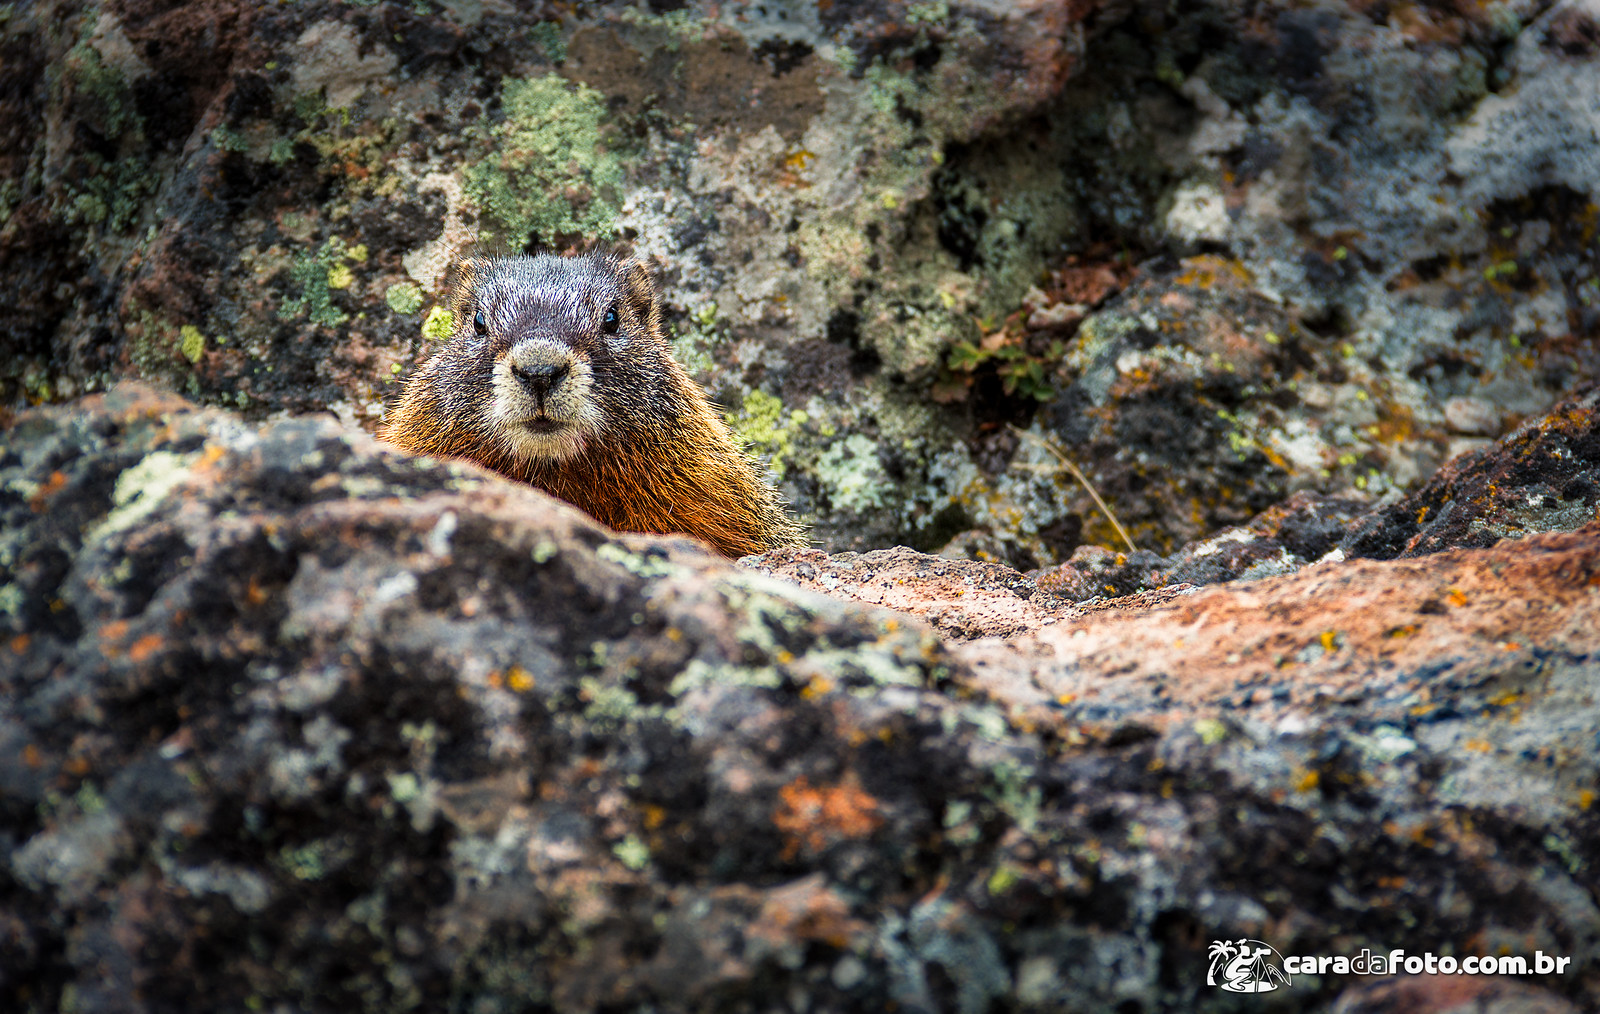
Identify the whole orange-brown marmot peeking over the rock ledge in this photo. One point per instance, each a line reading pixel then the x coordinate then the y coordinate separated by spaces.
pixel 558 375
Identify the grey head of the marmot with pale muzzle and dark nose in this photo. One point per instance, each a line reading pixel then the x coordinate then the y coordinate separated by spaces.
pixel 562 345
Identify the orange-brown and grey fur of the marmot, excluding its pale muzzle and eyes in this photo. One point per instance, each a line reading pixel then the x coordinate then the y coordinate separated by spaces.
pixel 662 461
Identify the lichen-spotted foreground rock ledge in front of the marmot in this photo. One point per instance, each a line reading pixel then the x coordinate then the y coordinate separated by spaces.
pixel 292 722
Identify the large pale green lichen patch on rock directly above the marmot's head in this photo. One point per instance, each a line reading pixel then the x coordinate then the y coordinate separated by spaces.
pixel 550 172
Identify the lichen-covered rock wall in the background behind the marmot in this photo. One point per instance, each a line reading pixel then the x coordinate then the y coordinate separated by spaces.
pixel 922 252
